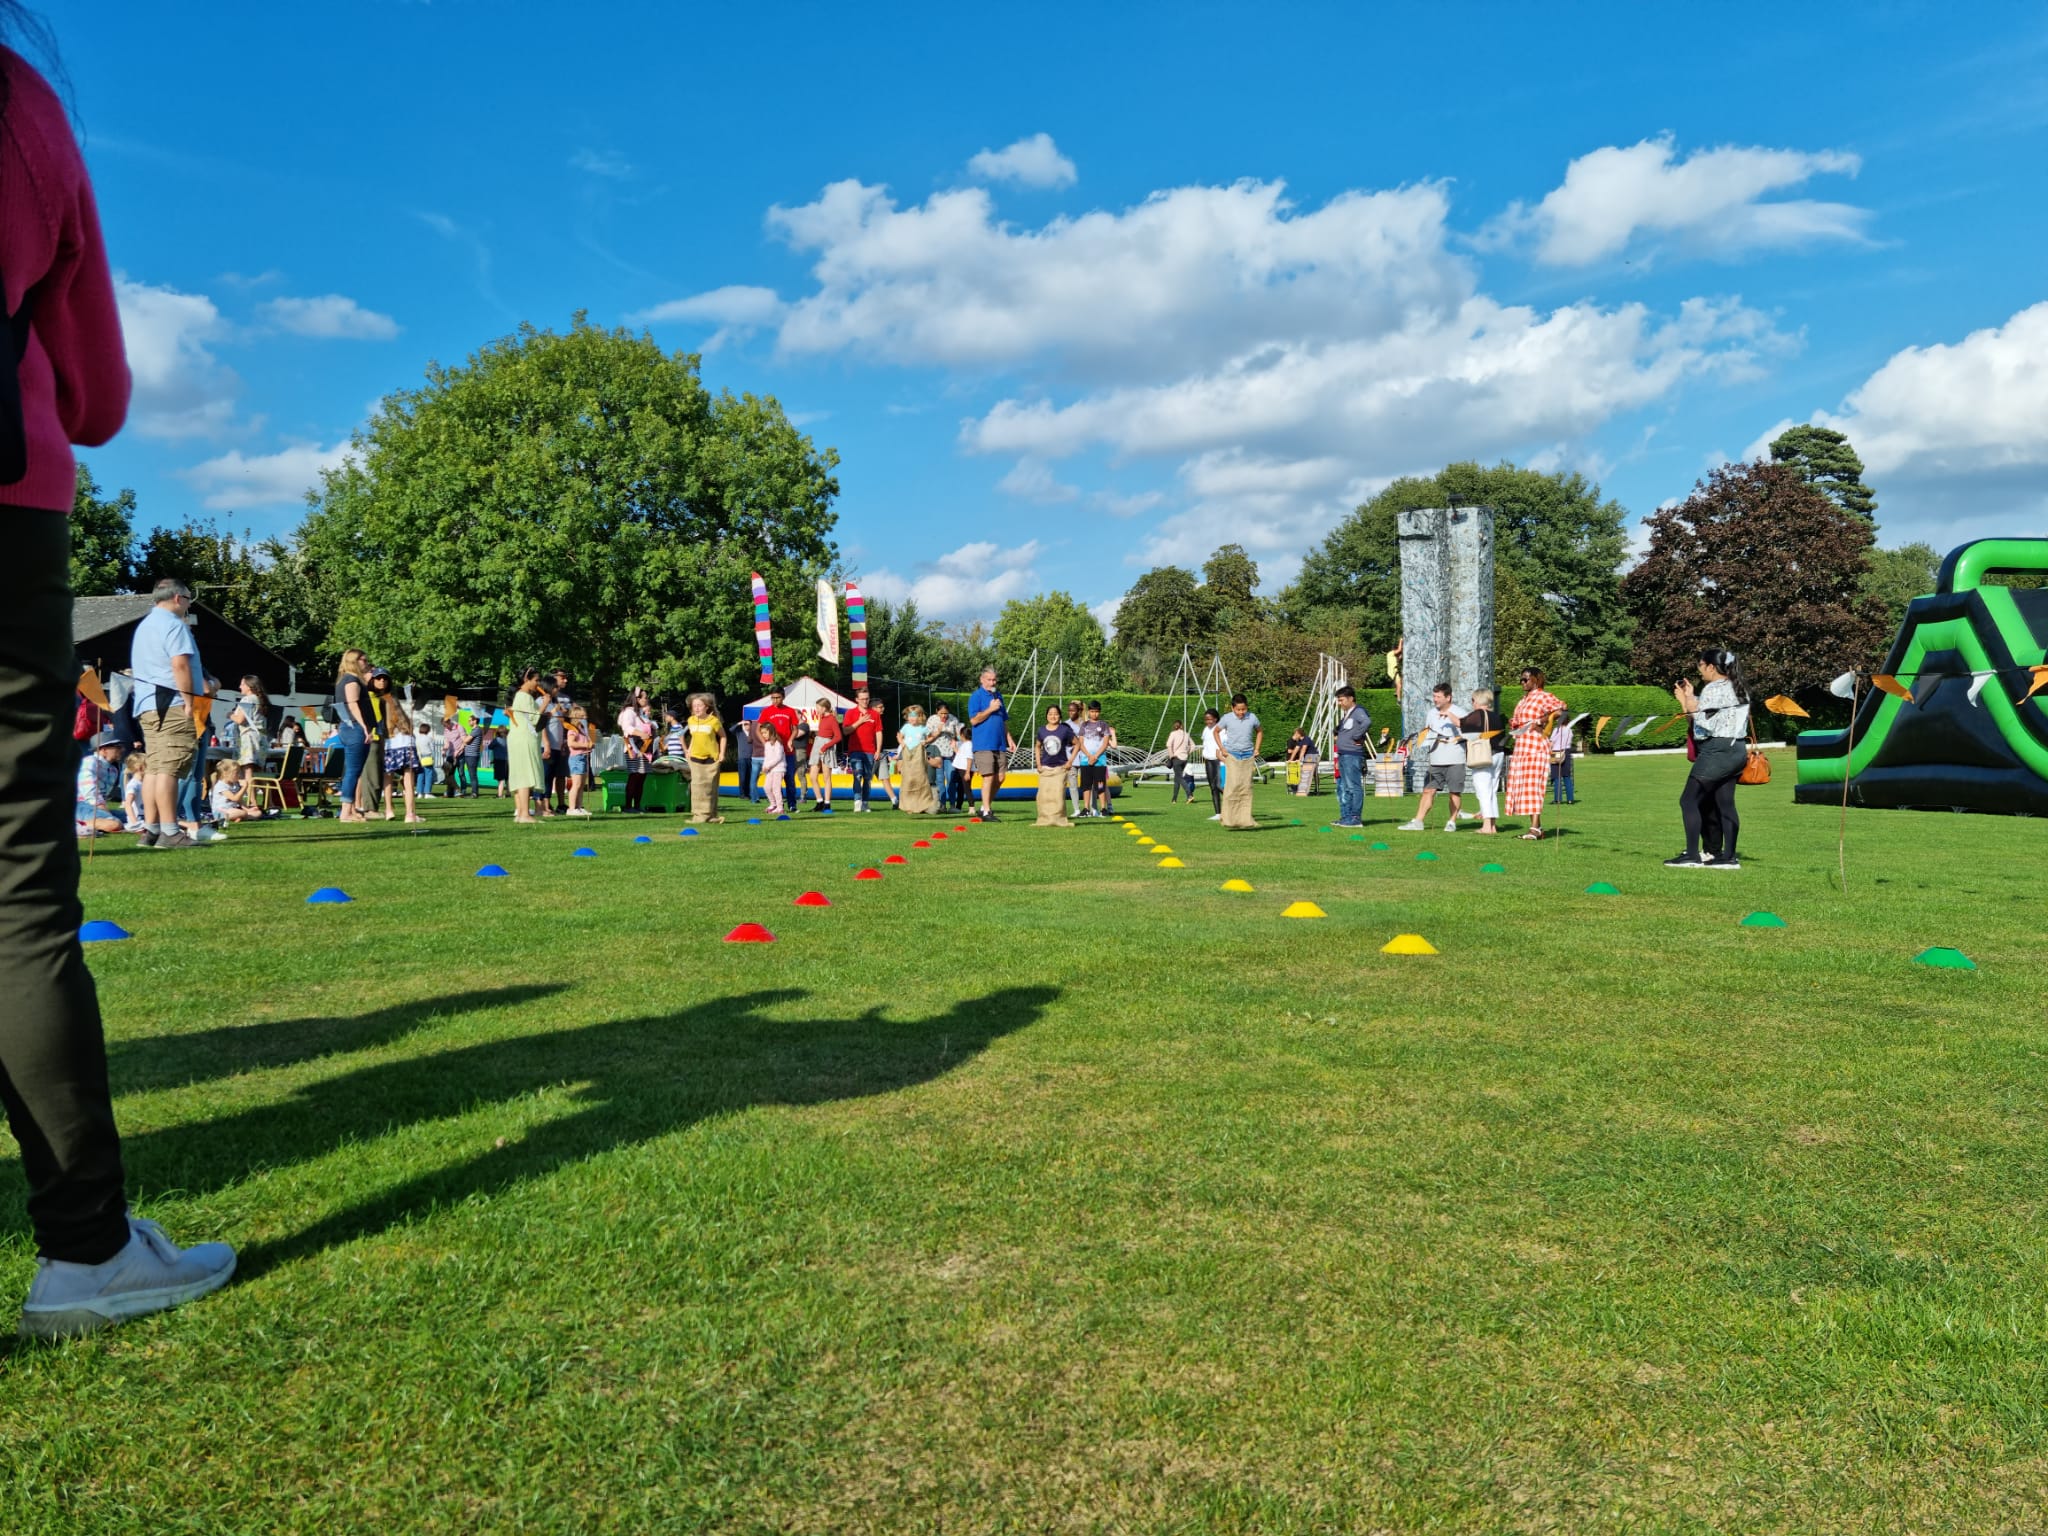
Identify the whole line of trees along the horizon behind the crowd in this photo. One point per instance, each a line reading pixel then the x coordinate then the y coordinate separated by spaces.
pixel 583 499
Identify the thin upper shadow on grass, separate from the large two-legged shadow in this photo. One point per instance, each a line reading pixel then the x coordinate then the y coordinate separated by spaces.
pixel 202 1056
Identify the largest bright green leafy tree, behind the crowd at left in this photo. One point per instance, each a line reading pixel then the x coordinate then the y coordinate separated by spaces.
pixel 574 499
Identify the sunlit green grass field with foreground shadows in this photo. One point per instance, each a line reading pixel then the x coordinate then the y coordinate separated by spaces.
pixel 1035 1189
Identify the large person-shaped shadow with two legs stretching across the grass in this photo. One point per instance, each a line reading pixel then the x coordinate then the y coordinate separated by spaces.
pixel 634 1080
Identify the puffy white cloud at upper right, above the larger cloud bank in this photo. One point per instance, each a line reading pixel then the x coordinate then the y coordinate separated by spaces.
pixel 1709 202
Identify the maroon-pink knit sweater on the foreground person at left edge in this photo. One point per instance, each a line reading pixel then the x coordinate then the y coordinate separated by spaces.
pixel 75 378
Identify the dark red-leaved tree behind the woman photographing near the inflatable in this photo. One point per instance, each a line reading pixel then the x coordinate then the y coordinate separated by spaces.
pixel 1760 562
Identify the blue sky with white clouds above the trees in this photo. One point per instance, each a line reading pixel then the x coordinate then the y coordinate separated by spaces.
pixel 1080 290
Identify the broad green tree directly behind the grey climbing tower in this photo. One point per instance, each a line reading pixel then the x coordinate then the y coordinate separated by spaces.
pixel 1553 534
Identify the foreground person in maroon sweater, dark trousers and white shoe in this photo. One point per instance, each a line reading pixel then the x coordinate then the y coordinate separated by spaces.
pixel 95 1263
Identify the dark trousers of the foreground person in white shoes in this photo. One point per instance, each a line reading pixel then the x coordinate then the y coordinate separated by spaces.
pixel 52 1052
